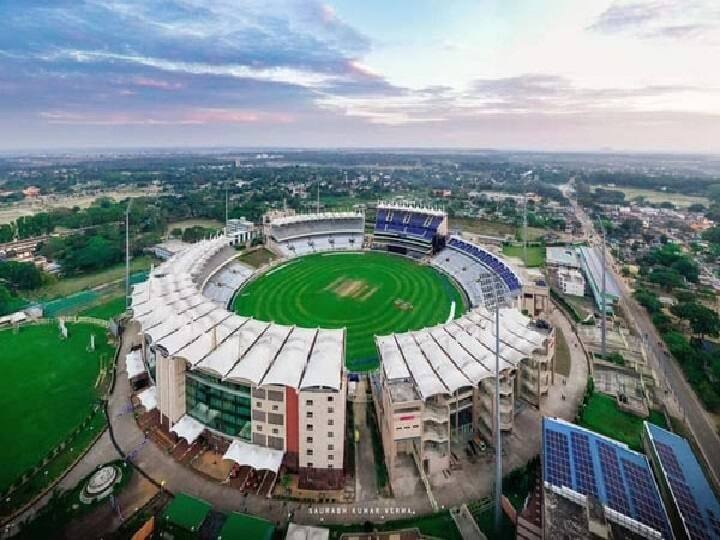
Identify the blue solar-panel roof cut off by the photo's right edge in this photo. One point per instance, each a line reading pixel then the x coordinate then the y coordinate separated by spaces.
pixel 695 500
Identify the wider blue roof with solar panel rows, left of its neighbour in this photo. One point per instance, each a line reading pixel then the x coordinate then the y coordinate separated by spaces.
pixel 591 464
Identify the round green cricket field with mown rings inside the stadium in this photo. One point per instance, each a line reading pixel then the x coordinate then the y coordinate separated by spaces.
pixel 367 293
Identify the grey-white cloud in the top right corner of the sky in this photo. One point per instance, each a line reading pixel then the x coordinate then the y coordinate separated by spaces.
pixel 669 19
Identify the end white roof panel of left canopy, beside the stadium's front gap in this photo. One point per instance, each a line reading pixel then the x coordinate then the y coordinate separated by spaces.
pixel 324 367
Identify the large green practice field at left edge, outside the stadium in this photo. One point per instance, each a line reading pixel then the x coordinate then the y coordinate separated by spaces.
pixel 47 389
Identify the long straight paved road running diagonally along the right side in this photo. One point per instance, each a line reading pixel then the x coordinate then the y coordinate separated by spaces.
pixel 669 373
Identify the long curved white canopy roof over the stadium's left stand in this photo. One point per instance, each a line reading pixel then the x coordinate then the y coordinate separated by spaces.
pixel 181 322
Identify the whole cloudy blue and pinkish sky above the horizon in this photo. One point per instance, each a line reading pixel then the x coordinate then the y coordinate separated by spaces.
pixel 523 74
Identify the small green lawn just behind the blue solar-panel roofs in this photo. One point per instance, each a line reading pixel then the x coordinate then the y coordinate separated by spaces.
pixel 602 415
